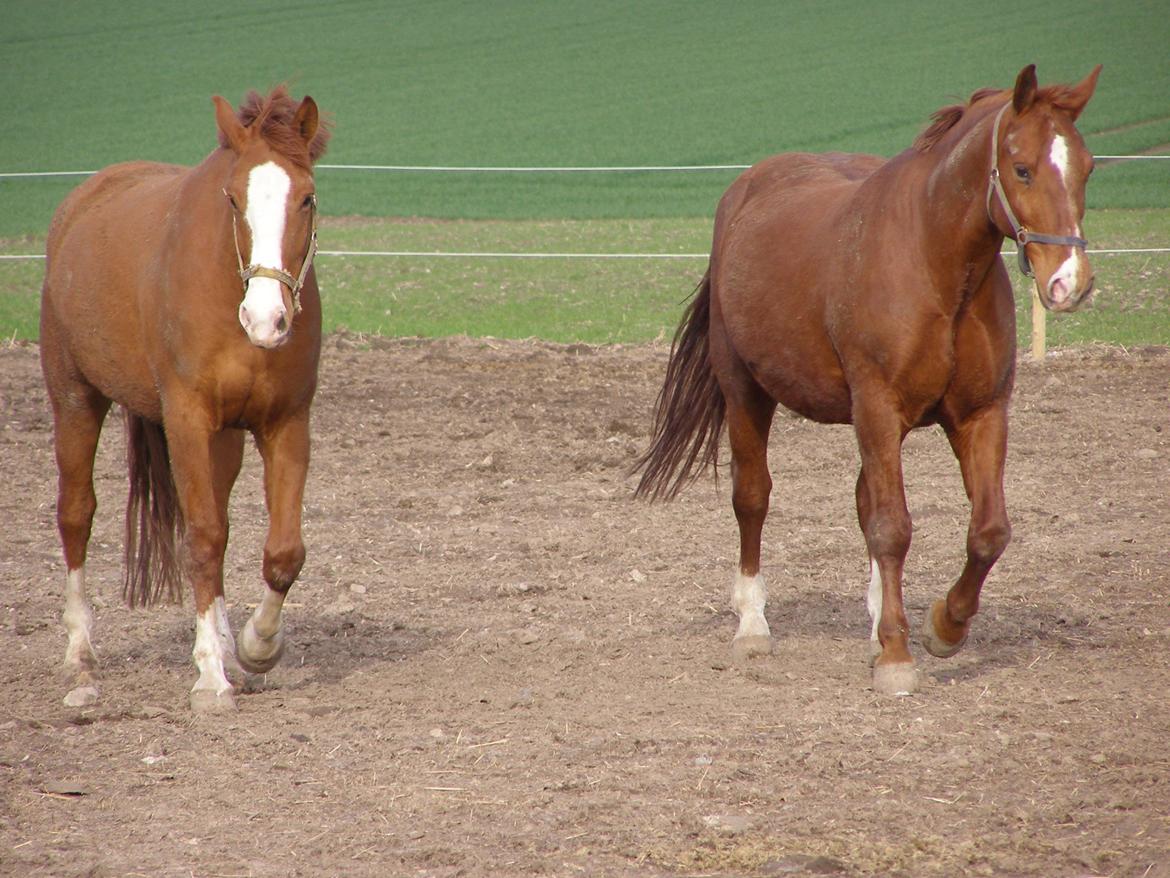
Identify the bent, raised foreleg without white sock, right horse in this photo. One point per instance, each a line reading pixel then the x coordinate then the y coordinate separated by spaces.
pixel 981 445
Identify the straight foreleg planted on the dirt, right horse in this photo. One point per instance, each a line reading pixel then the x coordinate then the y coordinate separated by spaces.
pixel 886 524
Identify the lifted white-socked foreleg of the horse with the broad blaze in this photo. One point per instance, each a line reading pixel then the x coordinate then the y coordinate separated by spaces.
pixel 286 455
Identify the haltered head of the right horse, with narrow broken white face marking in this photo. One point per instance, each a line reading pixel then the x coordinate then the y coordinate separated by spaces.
pixel 1036 196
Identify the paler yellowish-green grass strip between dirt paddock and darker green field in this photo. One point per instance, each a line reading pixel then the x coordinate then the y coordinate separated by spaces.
pixel 604 301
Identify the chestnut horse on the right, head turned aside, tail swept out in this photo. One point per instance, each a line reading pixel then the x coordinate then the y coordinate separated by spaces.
pixel 858 291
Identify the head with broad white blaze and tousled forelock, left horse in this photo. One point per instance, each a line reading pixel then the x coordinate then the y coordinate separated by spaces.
pixel 272 197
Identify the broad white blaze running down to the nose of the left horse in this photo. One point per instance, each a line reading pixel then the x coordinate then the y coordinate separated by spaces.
pixel 269 190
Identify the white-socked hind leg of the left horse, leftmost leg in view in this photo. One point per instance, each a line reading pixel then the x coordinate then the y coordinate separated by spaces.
pixel 79 413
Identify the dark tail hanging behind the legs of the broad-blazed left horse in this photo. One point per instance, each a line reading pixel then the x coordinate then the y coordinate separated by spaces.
pixel 154 518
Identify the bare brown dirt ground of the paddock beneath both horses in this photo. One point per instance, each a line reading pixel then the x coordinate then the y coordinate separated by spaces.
pixel 500 664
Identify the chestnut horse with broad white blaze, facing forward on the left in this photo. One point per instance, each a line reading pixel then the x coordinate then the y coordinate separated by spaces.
pixel 142 306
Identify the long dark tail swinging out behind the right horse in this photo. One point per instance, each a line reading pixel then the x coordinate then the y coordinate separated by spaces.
pixel 690 410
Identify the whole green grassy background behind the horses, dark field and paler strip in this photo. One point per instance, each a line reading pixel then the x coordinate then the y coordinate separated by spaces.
pixel 570 85
